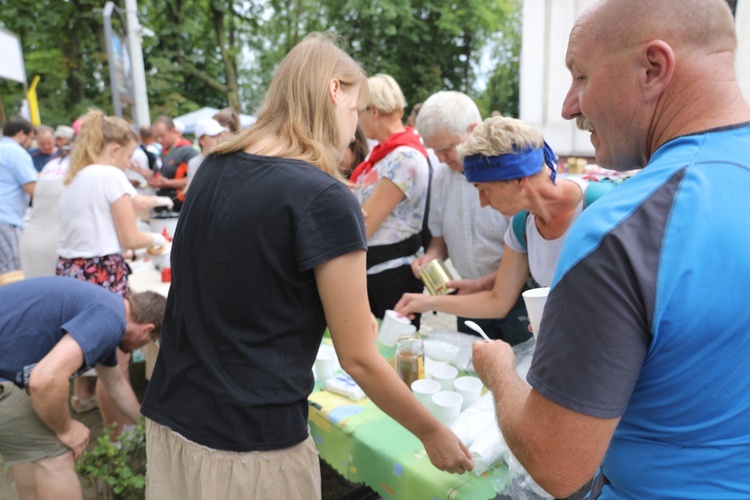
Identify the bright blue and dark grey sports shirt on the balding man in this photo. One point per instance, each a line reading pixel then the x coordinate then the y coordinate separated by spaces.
pixel 648 321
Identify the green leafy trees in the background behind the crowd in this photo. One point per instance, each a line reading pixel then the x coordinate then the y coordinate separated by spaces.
pixel 215 52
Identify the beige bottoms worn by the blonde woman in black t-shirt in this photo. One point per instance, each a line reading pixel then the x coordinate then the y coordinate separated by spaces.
pixel 181 469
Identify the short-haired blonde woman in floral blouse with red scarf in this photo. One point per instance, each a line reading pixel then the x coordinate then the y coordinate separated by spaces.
pixel 391 185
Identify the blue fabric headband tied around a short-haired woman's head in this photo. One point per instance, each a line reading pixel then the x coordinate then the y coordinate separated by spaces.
pixel 523 163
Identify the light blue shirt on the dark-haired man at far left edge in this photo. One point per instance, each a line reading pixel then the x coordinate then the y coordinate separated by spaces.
pixel 16 169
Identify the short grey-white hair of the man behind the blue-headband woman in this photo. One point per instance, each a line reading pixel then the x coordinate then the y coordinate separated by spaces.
pixel 448 111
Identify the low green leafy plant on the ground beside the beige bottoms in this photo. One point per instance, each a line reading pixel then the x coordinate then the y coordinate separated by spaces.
pixel 120 465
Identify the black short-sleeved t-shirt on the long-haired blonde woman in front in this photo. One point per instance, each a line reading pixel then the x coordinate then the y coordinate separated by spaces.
pixel 244 319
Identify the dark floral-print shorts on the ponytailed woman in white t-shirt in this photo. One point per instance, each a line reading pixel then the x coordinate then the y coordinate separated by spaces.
pixel 110 271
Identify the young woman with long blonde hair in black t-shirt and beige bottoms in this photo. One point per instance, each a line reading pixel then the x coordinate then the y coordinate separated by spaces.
pixel 269 250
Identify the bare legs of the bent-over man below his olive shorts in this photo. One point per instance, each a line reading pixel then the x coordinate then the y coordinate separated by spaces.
pixel 53 478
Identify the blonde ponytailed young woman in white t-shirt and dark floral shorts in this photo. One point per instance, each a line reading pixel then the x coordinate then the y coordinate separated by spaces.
pixel 97 222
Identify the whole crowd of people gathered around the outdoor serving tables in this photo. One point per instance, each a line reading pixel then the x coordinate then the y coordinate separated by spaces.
pixel 321 215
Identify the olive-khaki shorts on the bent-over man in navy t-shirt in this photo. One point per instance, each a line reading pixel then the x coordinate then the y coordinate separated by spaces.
pixel 23 437
